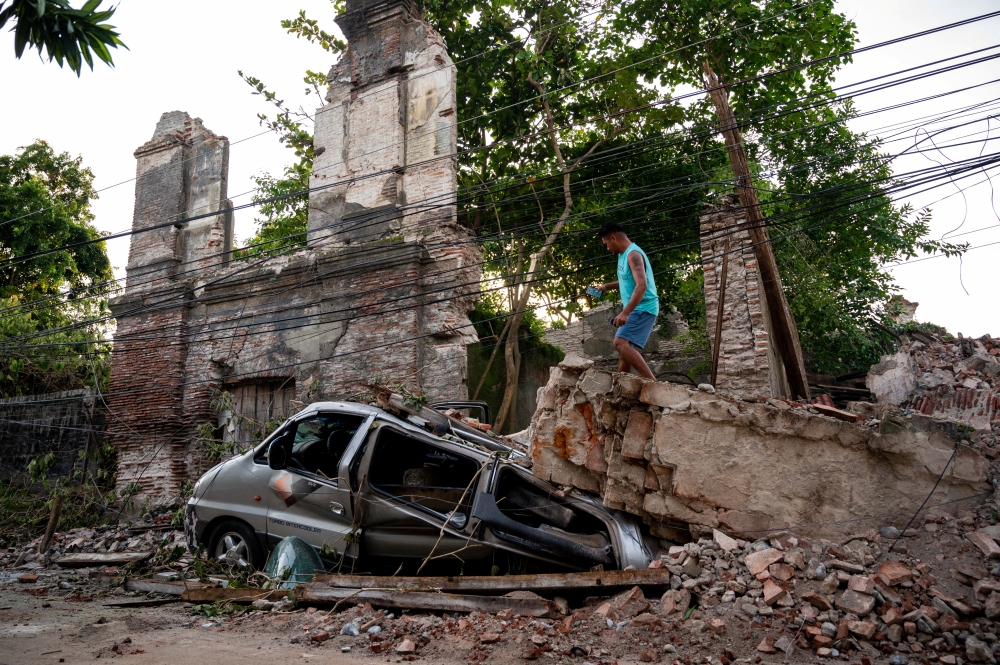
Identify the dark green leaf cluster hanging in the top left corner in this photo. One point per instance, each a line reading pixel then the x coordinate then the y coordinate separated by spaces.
pixel 66 34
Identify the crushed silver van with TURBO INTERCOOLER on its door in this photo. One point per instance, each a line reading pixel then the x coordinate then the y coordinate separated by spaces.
pixel 374 491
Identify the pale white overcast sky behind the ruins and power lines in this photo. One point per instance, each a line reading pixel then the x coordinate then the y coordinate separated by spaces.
pixel 184 56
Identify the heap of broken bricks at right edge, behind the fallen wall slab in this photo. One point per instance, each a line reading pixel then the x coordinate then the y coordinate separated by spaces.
pixel 956 379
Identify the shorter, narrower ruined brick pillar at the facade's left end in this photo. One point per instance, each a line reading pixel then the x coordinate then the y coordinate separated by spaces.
pixel 181 173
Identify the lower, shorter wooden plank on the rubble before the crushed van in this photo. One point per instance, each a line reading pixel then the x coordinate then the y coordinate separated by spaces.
pixel 316 594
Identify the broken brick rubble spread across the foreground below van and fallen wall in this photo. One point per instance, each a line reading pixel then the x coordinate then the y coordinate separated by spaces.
pixel 928 595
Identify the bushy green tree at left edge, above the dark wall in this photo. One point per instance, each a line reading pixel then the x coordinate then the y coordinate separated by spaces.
pixel 44 203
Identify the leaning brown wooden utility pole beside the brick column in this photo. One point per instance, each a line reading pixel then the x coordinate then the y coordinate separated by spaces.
pixel 785 336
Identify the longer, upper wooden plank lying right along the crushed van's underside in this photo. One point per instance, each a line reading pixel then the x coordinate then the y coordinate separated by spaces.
pixel 549 582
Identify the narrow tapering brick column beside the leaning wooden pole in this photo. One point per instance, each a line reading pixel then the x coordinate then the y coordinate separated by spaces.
pixel 748 365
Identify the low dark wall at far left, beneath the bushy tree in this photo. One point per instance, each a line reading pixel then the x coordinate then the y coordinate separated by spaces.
pixel 66 424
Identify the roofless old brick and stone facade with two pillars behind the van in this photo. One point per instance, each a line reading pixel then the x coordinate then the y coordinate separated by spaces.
pixel 381 291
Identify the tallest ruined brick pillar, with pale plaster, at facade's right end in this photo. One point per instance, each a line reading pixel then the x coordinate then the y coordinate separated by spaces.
pixel 386 162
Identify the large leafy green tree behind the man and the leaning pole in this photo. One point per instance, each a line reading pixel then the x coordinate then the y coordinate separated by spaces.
pixel 568 119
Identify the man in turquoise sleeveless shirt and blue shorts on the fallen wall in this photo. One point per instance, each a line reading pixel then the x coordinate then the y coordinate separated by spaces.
pixel 641 303
